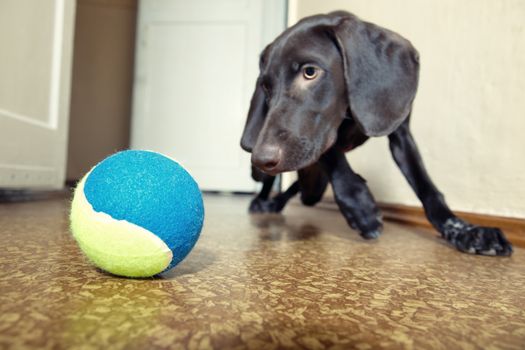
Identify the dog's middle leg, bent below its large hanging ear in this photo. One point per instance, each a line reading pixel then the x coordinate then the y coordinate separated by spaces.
pixel 352 195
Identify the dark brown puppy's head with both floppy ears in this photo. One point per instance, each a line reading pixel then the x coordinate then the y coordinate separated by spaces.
pixel 315 73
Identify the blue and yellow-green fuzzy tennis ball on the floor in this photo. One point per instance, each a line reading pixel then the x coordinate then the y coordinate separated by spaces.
pixel 137 213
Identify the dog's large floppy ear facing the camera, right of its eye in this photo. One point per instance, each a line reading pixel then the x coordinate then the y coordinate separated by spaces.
pixel 381 74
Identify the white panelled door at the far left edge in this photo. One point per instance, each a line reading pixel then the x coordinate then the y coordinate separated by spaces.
pixel 35 61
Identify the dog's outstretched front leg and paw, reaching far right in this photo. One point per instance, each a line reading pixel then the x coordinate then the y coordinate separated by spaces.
pixel 463 235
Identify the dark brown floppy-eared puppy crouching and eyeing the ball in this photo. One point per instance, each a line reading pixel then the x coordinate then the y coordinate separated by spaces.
pixel 326 85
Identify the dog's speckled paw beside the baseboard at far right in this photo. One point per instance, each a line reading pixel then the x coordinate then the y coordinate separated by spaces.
pixel 474 239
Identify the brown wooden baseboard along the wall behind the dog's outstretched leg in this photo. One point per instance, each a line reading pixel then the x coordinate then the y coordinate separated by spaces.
pixel 514 228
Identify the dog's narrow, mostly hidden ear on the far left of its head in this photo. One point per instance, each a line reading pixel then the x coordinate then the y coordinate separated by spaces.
pixel 255 120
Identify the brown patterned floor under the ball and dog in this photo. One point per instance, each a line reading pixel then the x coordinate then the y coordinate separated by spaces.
pixel 300 280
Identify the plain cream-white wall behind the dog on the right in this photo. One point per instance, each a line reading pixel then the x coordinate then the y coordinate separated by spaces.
pixel 468 117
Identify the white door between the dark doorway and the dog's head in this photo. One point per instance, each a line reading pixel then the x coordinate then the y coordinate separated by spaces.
pixel 197 62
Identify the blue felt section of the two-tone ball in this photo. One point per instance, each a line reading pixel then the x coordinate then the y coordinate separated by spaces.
pixel 152 191
